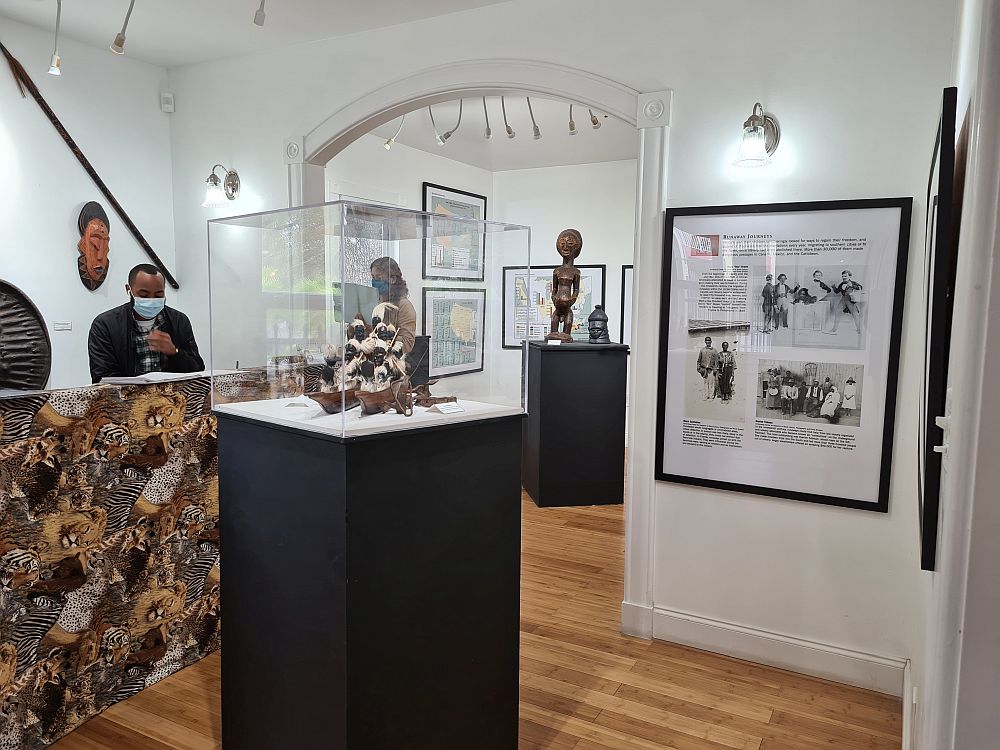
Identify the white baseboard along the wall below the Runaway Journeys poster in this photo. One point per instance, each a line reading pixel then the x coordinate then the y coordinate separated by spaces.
pixel 879 673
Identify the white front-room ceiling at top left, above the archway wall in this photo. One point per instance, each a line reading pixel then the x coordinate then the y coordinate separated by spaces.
pixel 179 32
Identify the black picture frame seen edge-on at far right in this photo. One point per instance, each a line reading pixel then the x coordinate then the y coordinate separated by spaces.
pixel 944 190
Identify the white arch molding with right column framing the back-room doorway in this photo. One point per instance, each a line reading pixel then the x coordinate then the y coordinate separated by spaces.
pixel 307 152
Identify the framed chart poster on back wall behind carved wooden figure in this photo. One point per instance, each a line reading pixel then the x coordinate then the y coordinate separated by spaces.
pixel 527 302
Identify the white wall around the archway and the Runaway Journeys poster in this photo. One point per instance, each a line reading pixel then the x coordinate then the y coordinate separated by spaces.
pixel 856 86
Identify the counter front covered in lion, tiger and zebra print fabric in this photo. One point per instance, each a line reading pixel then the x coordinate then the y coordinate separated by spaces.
pixel 109 549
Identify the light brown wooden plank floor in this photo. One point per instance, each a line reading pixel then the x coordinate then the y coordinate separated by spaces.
pixel 583 685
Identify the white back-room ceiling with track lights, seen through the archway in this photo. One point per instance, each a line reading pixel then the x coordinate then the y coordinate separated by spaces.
pixel 614 141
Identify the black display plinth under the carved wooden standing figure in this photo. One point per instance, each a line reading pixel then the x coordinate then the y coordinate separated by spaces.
pixel 573 451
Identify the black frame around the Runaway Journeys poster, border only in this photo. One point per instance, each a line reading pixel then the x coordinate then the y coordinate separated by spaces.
pixel 905 206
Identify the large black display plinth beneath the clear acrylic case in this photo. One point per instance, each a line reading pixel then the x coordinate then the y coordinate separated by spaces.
pixel 371 587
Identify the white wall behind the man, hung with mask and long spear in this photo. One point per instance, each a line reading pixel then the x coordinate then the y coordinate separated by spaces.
pixel 110 106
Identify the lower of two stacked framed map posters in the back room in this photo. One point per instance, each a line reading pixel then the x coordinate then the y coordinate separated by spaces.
pixel 455 319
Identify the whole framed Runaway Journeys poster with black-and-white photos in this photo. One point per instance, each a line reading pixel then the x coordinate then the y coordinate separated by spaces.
pixel 779 348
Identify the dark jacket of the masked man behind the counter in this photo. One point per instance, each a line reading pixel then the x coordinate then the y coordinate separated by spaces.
pixel 112 344
